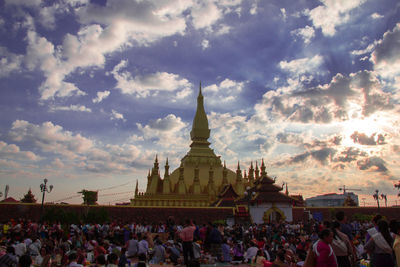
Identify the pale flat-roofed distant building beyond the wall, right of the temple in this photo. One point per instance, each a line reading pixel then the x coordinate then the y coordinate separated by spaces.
pixel 330 200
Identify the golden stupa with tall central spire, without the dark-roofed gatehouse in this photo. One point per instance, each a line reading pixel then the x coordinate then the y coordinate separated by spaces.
pixel 200 177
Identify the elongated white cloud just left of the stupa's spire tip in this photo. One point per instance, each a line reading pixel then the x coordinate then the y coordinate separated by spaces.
pixel 142 85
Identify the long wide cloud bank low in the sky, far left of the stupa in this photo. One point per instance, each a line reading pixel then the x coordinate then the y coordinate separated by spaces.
pixel 78 152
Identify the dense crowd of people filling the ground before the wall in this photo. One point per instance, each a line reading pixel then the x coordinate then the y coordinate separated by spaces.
pixel 330 243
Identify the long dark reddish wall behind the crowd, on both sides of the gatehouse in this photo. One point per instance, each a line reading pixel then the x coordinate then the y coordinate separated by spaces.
pixel 200 215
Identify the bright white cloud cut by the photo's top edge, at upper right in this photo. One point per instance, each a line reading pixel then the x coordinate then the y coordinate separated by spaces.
pixel 331 14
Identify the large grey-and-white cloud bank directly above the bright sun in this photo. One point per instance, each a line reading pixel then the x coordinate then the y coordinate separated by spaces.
pixel 357 95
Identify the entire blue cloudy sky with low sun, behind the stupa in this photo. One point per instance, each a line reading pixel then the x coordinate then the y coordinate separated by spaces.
pixel 91 91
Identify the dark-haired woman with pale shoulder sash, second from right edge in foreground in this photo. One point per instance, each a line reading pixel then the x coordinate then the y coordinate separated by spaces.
pixel 380 246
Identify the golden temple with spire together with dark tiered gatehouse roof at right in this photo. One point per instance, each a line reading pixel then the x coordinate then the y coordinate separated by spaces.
pixel 202 180
